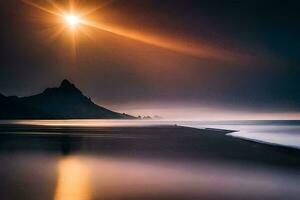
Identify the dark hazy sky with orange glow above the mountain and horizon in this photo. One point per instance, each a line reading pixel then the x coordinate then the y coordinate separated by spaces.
pixel 185 58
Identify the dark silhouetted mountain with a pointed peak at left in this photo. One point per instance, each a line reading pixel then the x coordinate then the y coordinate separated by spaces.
pixel 63 102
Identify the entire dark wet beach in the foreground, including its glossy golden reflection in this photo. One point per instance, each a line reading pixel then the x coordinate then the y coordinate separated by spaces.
pixel 142 162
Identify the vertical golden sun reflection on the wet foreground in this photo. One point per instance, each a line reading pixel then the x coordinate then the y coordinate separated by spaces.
pixel 73 180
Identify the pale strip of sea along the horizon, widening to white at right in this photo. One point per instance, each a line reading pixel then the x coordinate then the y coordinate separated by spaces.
pixel 286 133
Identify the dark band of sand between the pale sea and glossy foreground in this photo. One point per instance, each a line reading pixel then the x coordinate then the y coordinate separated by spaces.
pixel 154 142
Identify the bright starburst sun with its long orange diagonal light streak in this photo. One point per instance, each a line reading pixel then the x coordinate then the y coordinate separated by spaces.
pixel 74 16
